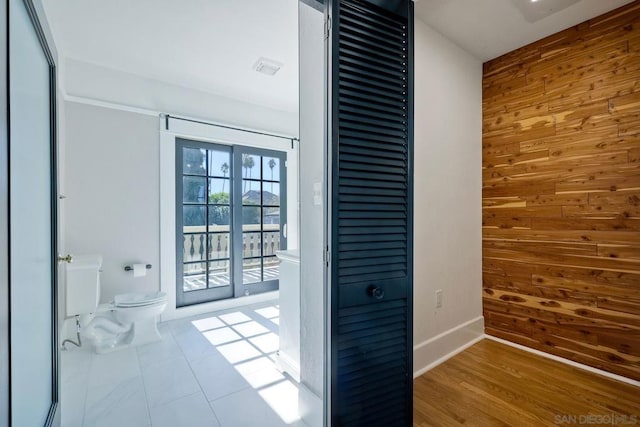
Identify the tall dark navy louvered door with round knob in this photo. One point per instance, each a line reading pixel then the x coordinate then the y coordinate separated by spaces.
pixel 371 243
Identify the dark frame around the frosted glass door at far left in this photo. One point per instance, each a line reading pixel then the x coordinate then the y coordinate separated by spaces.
pixel 53 418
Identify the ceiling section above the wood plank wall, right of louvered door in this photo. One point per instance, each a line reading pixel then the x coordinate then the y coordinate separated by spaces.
pixel 490 28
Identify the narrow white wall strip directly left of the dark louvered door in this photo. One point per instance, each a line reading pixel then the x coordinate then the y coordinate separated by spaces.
pixel 312 206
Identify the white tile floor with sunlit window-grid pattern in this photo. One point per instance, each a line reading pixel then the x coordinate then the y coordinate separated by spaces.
pixel 211 370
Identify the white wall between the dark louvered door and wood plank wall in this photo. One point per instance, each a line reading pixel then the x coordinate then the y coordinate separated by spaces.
pixel 448 182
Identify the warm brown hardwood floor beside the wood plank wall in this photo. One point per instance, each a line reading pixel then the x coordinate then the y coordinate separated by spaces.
pixel 492 384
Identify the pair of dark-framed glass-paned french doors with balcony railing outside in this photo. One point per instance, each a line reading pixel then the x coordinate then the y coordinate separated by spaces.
pixel 231 220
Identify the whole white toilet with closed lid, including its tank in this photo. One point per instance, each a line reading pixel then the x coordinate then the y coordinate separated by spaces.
pixel 131 319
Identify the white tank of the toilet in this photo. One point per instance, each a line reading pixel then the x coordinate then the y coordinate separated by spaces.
pixel 83 284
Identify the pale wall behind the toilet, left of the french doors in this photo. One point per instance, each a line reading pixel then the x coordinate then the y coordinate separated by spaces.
pixel 111 177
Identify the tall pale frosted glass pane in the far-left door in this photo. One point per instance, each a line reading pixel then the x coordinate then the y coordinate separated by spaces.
pixel 32 230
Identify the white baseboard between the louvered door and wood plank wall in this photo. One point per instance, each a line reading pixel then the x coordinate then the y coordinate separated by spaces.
pixel 436 350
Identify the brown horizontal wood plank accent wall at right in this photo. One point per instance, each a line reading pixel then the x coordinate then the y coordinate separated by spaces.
pixel 561 193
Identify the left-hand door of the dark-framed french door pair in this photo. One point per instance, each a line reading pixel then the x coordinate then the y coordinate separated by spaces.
pixel 204 213
